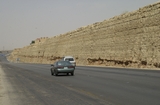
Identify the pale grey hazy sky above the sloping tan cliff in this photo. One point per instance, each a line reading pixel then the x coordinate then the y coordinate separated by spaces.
pixel 22 21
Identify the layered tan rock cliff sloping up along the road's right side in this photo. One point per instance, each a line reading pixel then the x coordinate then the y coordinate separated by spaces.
pixel 129 40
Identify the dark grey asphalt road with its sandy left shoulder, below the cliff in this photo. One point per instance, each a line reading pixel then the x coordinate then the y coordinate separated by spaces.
pixel 32 84
